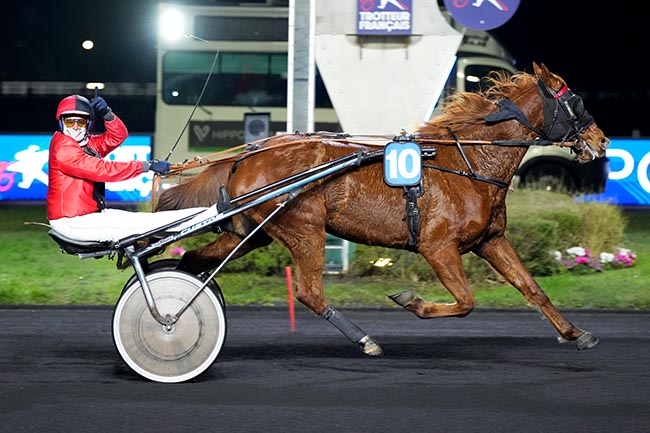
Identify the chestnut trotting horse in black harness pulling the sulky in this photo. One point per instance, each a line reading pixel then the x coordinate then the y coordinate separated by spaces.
pixel 461 199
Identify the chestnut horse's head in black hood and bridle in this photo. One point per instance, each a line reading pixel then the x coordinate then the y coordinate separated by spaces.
pixel 565 117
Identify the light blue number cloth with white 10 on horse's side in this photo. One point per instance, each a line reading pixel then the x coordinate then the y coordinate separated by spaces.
pixel 402 163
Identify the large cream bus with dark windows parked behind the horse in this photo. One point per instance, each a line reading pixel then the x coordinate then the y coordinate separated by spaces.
pixel 243 50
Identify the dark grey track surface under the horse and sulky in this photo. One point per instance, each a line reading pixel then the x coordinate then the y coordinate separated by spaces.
pixel 492 371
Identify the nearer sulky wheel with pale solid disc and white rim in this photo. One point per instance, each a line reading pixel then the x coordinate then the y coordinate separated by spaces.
pixel 180 352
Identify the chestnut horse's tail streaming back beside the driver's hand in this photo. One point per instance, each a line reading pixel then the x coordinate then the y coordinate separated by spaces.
pixel 201 190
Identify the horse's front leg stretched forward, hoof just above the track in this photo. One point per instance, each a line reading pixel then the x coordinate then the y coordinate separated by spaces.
pixel 501 255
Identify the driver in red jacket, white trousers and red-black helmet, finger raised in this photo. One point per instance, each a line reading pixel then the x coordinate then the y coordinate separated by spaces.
pixel 76 206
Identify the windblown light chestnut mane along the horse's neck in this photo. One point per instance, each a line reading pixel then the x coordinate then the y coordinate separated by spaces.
pixel 463 110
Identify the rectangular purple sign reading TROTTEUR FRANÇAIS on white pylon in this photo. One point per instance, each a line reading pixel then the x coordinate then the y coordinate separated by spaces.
pixel 384 17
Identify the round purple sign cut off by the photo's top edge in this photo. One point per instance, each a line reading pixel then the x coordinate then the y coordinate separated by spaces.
pixel 481 14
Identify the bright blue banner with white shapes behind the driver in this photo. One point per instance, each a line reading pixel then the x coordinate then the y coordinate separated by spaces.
pixel 24 164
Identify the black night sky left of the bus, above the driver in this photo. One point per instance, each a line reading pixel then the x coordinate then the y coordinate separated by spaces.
pixel 44 40
